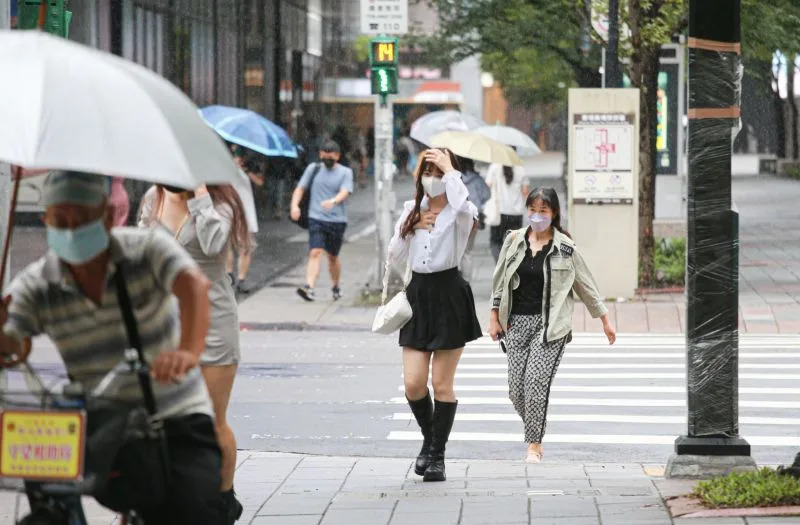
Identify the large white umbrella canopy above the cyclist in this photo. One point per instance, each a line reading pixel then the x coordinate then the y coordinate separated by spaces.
pixel 67 106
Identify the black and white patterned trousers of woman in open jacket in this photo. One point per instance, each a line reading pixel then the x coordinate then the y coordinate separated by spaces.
pixel 531 368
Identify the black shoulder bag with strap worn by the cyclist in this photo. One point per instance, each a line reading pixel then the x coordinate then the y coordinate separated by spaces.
pixel 127 449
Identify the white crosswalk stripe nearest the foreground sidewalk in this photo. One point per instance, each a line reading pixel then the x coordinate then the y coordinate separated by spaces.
pixel 604 439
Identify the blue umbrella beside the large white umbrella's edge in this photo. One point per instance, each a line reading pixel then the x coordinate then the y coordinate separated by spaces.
pixel 251 130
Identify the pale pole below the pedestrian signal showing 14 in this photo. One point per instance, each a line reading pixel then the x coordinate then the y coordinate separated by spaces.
pixel 384 174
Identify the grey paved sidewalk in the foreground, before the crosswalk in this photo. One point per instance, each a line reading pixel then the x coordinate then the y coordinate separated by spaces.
pixel 292 489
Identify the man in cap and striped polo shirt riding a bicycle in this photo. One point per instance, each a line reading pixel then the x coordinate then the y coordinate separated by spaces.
pixel 70 294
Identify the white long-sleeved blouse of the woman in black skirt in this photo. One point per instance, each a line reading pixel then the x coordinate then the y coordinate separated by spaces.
pixel 443 247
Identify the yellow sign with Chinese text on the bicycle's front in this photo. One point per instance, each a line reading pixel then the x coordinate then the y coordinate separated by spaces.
pixel 41 445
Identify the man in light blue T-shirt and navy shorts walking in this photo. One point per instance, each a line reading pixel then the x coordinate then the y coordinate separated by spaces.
pixel 327 215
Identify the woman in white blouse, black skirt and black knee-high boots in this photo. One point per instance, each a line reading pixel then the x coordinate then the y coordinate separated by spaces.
pixel 431 236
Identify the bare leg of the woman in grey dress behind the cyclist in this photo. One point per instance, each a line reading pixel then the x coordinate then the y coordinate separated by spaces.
pixel 219 380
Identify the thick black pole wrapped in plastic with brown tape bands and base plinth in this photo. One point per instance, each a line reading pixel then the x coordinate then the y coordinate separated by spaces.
pixel 712 445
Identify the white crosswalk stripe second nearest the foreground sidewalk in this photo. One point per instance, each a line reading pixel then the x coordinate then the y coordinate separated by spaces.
pixel 603 418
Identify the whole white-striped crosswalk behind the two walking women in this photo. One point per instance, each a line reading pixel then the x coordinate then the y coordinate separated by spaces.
pixel 632 393
